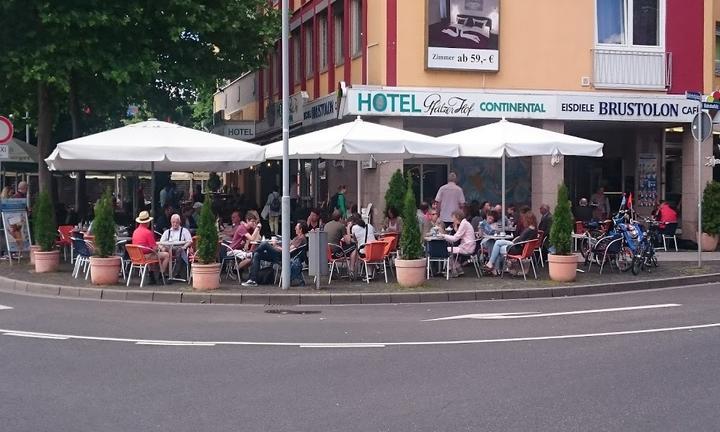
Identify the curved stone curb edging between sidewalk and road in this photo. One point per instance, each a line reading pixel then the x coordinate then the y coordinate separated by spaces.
pixel 315 298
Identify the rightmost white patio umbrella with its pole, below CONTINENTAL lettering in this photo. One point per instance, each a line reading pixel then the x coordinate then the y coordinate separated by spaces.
pixel 505 138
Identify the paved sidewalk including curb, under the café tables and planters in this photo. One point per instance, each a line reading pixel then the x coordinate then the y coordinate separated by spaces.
pixel 670 272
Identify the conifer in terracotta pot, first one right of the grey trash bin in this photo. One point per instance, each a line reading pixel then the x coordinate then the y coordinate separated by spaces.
pixel 410 265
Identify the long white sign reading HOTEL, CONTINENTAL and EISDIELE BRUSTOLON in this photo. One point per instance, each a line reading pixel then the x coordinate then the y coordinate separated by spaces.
pixel 474 104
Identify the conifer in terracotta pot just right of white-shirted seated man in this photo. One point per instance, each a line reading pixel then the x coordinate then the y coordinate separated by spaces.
pixel 205 268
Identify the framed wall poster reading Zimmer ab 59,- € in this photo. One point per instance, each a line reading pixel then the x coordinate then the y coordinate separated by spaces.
pixel 463 34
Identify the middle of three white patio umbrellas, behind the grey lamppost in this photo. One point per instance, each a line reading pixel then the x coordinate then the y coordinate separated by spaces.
pixel 359 140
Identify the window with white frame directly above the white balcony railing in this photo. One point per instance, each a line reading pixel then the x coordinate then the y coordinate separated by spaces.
pixel 637 23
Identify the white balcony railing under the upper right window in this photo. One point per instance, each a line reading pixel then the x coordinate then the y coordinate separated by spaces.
pixel 637 70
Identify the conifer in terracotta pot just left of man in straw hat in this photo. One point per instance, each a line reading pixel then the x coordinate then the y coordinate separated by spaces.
pixel 104 264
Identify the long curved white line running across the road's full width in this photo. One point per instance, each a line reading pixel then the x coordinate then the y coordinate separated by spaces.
pixel 365 345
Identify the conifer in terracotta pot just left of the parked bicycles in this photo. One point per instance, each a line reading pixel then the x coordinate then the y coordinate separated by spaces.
pixel 562 262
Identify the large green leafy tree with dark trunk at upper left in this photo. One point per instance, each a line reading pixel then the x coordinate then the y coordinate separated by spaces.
pixel 63 52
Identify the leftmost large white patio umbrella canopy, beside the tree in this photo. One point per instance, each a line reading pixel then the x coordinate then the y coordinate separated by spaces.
pixel 154 146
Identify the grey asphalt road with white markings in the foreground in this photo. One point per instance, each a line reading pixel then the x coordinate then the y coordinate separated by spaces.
pixel 640 361
